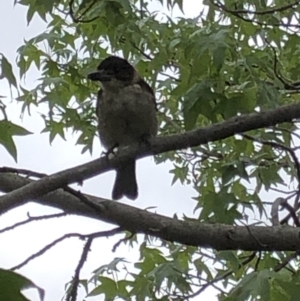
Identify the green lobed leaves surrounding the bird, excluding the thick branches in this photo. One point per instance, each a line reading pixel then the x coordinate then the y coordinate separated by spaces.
pixel 224 62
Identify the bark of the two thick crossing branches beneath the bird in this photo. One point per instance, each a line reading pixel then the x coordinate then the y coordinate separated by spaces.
pixel 222 237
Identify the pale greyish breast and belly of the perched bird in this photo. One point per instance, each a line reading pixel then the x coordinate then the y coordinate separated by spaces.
pixel 126 116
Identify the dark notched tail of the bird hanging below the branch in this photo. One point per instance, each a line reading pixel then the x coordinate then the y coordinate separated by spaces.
pixel 125 184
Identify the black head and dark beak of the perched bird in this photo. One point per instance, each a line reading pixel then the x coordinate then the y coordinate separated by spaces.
pixel 113 68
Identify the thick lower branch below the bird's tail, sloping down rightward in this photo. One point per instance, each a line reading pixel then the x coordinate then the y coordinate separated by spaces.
pixel 217 236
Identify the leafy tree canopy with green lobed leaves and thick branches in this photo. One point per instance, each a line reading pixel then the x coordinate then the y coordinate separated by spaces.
pixel 227 86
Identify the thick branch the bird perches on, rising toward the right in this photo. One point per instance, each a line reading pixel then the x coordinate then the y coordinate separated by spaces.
pixel 158 145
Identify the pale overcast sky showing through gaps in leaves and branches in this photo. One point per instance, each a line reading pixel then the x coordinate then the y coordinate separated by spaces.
pixel 52 270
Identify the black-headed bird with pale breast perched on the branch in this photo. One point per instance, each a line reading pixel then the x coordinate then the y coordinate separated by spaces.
pixel 126 111
